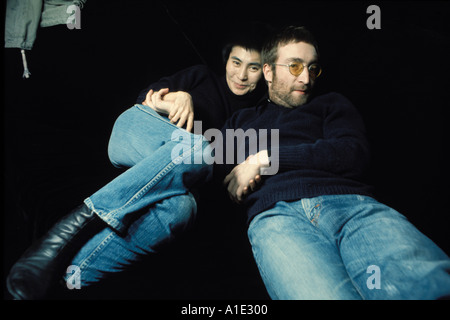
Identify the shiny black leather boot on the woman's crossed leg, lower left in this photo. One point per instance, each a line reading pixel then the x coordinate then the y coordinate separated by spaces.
pixel 43 264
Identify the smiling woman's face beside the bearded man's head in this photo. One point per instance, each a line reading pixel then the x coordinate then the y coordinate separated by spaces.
pixel 243 70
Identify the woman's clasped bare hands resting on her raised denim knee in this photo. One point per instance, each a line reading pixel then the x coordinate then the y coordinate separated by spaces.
pixel 177 105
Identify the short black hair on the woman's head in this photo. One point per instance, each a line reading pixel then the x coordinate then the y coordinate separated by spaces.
pixel 251 37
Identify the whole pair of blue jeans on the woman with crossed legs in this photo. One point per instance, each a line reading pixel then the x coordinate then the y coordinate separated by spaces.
pixel 149 204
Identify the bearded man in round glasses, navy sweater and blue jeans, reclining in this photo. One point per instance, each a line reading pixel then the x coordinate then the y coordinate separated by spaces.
pixel 315 230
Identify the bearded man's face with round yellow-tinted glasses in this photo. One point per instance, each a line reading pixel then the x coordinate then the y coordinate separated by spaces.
pixel 286 89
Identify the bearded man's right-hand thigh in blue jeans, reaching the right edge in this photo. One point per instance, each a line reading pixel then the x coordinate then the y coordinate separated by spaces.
pixel 389 258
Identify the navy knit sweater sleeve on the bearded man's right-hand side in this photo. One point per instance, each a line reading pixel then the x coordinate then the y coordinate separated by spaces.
pixel 342 150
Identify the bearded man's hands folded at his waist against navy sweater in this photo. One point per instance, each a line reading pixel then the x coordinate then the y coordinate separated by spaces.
pixel 245 177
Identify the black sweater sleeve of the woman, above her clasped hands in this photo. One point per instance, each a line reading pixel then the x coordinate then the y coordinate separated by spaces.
pixel 184 80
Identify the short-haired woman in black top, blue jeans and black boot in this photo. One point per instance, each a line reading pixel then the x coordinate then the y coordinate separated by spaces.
pixel 151 203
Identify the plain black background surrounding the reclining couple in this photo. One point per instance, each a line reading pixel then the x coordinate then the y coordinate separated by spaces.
pixel 57 123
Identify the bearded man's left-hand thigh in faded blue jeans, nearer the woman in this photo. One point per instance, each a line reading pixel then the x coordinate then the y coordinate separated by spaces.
pixel 296 260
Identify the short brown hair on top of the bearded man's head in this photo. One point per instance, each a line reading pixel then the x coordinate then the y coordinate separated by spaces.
pixel 285 36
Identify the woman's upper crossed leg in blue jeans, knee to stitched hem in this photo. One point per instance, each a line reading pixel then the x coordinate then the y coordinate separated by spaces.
pixel 162 160
